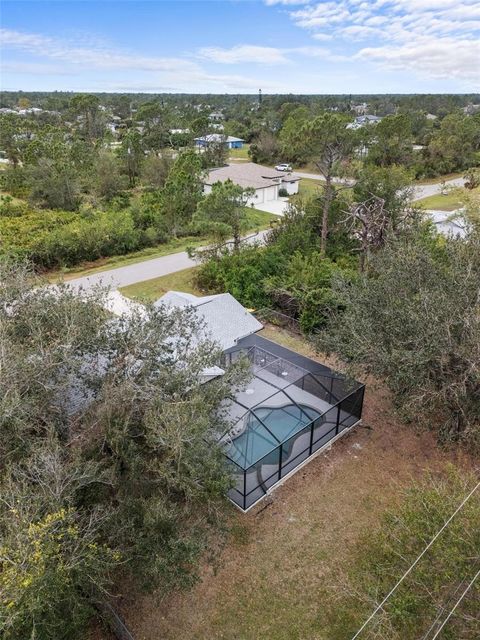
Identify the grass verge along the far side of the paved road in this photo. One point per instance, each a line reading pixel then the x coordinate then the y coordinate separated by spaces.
pixel 257 220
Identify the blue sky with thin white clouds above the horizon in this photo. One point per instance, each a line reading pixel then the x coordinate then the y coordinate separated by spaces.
pixel 241 46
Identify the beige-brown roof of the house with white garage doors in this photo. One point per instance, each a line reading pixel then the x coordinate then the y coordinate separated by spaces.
pixel 249 174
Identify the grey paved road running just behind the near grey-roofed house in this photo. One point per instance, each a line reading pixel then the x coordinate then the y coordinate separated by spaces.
pixel 147 270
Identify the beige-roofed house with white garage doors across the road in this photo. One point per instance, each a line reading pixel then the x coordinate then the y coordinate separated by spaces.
pixel 265 182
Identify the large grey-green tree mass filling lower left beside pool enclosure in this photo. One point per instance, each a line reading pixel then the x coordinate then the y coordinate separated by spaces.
pixel 109 463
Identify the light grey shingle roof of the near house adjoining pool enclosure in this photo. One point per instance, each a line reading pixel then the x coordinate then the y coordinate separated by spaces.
pixel 226 320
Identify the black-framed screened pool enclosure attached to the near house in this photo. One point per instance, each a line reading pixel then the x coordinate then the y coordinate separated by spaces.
pixel 291 408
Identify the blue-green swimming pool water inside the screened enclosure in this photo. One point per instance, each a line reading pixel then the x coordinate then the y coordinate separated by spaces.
pixel 256 441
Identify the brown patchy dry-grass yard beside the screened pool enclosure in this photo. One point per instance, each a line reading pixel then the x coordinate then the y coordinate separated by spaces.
pixel 286 554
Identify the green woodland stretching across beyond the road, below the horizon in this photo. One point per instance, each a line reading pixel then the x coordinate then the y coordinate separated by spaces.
pixel 94 191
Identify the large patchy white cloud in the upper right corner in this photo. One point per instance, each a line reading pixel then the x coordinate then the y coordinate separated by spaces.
pixel 431 38
